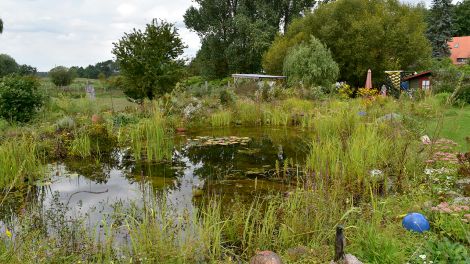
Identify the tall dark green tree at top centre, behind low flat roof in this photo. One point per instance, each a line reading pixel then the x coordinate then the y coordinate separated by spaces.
pixel 236 33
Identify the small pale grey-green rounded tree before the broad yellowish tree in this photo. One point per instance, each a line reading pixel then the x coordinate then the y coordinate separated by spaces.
pixel 311 64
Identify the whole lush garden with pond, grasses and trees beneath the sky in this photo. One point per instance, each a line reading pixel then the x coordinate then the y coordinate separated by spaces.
pixel 152 159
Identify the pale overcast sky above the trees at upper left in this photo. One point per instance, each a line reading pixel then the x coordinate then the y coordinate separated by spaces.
pixel 48 33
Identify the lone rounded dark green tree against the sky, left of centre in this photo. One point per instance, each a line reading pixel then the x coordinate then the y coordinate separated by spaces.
pixel 149 60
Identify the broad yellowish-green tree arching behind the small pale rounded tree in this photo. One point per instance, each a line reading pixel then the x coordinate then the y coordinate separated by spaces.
pixel 361 34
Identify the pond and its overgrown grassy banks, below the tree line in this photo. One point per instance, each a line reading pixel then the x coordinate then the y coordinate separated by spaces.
pixel 361 163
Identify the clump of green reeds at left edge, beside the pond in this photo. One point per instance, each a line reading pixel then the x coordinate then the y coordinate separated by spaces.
pixel 19 160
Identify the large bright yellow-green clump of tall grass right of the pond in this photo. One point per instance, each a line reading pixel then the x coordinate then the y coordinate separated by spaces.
pixel 345 151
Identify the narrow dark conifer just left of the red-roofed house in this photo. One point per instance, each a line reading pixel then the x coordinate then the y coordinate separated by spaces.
pixel 440 29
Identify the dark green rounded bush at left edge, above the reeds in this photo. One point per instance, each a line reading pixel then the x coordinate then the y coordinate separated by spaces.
pixel 19 98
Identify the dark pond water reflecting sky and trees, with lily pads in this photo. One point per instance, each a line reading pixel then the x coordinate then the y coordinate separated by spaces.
pixel 227 163
